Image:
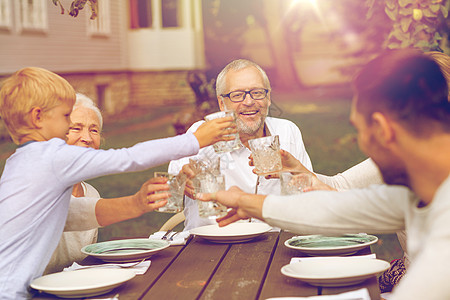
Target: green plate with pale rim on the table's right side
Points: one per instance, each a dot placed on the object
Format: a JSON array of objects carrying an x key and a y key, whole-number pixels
[{"x": 331, "y": 245}]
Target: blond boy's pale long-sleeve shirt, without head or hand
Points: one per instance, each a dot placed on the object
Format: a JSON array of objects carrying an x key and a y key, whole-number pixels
[{"x": 35, "y": 190}]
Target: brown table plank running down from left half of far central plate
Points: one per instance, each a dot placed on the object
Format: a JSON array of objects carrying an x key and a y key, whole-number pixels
[{"x": 190, "y": 272}]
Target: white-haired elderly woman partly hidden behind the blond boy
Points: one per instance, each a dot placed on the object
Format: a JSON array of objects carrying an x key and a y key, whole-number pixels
[{"x": 88, "y": 210}]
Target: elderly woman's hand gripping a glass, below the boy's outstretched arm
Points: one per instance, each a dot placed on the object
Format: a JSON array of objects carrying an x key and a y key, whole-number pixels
[{"x": 145, "y": 199}]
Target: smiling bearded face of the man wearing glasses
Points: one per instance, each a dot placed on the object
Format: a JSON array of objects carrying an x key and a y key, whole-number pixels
[{"x": 250, "y": 113}]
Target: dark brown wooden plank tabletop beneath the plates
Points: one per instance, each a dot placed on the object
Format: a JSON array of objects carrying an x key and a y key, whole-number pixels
[{"x": 206, "y": 270}]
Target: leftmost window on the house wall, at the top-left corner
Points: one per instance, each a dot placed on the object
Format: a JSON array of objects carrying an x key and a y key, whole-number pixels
[{"x": 33, "y": 14}]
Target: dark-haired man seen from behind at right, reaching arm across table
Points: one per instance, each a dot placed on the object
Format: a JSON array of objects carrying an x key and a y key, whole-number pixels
[{"x": 402, "y": 114}]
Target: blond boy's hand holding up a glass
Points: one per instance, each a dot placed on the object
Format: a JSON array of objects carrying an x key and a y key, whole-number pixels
[{"x": 215, "y": 131}]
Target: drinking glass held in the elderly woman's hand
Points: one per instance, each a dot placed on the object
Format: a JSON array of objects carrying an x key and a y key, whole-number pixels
[{"x": 176, "y": 189}]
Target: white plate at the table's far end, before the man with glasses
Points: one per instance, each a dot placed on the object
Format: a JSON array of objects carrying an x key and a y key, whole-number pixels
[{"x": 233, "y": 233}]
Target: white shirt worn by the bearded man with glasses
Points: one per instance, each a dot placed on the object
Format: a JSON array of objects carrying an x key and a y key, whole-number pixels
[{"x": 234, "y": 165}]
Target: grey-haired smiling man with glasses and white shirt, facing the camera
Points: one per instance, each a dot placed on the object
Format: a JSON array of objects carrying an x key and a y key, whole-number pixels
[{"x": 243, "y": 87}]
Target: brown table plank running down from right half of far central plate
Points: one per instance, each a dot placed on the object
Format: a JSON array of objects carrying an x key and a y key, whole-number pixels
[{"x": 240, "y": 274}]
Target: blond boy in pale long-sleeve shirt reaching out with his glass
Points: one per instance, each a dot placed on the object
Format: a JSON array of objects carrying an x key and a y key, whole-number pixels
[{"x": 37, "y": 180}]
